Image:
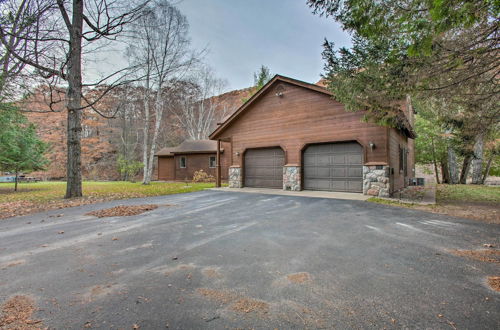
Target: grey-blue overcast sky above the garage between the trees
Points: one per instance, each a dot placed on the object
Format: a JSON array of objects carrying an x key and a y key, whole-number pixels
[{"x": 241, "y": 35}]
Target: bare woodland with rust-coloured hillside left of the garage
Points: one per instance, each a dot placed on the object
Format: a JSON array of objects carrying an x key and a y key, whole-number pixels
[{"x": 161, "y": 96}]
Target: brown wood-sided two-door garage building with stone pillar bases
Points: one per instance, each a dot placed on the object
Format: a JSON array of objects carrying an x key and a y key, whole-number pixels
[{"x": 293, "y": 135}]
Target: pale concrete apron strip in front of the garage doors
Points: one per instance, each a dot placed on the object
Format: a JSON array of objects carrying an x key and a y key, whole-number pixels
[{"x": 302, "y": 193}]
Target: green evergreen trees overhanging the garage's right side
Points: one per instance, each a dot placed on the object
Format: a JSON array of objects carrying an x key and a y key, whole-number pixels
[{"x": 444, "y": 55}]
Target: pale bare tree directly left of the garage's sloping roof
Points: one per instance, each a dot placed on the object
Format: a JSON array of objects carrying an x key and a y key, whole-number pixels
[{"x": 197, "y": 110}]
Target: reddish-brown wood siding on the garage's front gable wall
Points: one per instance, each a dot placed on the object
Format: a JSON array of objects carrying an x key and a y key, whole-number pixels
[{"x": 298, "y": 118}]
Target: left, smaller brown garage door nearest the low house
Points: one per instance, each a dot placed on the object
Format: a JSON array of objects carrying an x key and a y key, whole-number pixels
[{"x": 264, "y": 168}]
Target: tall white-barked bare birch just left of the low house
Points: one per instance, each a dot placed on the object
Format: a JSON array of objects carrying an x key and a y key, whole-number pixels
[{"x": 160, "y": 48}]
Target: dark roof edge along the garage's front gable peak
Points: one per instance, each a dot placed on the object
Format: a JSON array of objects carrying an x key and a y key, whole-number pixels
[{"x": 277, "y": 77}]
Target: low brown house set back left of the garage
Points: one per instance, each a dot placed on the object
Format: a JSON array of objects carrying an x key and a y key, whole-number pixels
[{"x": 181, "y": 162}]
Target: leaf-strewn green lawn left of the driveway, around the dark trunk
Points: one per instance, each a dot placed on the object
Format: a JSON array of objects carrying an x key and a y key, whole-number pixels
[{"x": 35, "y": 197}]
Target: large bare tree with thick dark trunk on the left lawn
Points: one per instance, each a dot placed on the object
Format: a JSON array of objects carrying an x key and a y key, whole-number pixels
[{"x": 54, "y": 48}]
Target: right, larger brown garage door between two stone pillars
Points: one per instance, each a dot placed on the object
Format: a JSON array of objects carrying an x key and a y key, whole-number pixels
[{"x": 334, "y": 167}]
